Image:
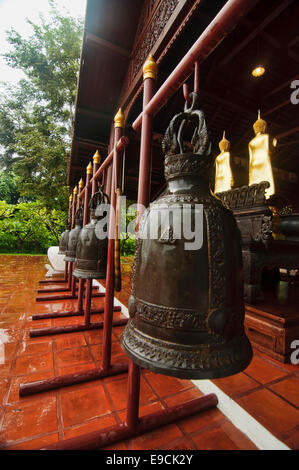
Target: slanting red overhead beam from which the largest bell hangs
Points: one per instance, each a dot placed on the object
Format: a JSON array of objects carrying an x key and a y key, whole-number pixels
[{"x": 216, "y": 31}]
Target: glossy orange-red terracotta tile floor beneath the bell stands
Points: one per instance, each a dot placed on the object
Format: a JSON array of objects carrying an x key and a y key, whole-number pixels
[{"x": 268, "y": 390}]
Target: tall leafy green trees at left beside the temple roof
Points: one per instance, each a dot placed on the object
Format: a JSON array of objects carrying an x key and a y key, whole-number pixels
[{"x": 36, "y": 116}]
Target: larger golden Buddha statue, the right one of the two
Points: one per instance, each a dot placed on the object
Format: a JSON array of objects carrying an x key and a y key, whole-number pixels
[{"x": 260, "y": 168}]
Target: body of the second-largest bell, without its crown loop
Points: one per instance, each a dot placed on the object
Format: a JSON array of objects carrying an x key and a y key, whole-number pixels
[{"x": 91, "y": 254}]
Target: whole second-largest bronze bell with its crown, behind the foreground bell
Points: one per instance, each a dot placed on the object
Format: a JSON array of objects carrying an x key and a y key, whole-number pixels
[{"x": 91, "y": 252}]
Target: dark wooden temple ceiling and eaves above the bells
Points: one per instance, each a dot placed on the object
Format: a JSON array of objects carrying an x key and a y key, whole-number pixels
[{"x": 229, "y": 95}]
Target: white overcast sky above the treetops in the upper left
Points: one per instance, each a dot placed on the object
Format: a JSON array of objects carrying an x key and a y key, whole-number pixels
[{"x": 13, "y": 14}]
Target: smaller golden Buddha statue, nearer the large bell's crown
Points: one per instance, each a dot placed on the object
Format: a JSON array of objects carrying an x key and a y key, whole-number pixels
[{"x": 223, "y": 173}]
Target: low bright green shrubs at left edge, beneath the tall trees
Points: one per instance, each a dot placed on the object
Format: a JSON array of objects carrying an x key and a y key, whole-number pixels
[{"x": 29, "y": 227}]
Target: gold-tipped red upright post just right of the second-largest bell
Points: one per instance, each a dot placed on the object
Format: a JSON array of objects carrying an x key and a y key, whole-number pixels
[{"x": 109, "y": 294}]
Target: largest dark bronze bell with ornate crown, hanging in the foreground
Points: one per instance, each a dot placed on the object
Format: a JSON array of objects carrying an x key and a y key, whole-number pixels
[{"x": 186, "y": 305}]
